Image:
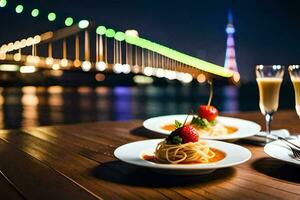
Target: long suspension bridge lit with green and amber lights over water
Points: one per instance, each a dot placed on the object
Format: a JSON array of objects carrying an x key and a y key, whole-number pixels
[{"x": 87, "y": 46}]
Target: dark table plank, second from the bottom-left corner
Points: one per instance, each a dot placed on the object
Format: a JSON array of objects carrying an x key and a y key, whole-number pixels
[{"x": 34, "y": 179}]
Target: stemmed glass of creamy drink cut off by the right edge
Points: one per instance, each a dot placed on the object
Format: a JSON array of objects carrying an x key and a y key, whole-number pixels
[{"x": 294, "y": 71}]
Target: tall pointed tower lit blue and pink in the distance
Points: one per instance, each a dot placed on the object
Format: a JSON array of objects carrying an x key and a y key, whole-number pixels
[{"x": 230, "y": 61}]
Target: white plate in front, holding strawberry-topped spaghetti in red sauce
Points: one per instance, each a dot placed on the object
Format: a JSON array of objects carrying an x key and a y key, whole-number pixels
[{"x": 132, "y": 153}]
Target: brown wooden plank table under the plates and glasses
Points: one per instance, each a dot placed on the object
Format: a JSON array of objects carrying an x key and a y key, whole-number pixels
[{"x": 77, "y": 162}]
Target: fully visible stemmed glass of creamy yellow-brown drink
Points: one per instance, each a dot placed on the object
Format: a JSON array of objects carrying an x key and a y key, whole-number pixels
[{"x": 269, "y": 78}]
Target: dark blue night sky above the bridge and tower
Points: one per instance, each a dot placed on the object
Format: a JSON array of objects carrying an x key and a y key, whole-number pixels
[{"x": 267, "y": 32}]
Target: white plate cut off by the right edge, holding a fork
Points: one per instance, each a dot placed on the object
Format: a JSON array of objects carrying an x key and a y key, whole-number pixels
[{"x": 280, "y": 151}]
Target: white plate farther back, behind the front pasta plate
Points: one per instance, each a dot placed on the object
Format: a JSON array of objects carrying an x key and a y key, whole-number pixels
[{"x": 245, "y": 128}]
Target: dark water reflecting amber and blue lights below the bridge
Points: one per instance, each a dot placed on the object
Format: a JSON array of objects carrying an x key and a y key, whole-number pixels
[{"x": 33, "y": 106}]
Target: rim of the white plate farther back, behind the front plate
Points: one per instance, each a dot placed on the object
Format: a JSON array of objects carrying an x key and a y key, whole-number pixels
[{"x": 227, "y": 137}]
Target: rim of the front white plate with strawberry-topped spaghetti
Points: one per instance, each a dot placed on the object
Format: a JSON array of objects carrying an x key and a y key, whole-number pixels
[{"x": 179, "y": 167}]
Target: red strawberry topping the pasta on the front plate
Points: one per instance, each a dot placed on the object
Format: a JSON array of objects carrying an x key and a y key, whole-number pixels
[{"x": 183, "y": 135}]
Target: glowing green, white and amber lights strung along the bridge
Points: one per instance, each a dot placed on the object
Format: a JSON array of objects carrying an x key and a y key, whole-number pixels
[{"x": 167, "y": 55}]
